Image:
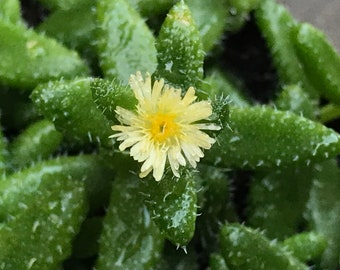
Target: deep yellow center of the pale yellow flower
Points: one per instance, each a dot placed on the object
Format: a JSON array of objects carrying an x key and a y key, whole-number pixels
[{"x": 163, "y": 126}]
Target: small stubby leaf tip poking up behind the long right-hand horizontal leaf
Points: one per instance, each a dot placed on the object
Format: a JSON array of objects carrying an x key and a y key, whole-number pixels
[{"x": 294, "y": 99}]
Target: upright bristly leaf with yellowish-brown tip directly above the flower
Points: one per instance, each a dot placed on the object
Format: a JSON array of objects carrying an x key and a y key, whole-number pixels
[{"x": 180, "y": 55}]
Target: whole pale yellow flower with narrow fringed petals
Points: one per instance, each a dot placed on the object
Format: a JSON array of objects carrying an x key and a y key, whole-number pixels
[{"x": 163, "y": 127}]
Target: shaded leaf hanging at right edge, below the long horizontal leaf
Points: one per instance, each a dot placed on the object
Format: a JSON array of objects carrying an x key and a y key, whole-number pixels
[{"x": 324, "y": 209}]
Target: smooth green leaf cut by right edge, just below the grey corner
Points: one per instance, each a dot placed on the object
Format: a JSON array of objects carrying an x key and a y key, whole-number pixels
[{"x": 320, "y": 60}]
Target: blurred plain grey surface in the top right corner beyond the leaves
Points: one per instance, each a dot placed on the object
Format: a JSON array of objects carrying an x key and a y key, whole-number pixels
[{"x": 322, "y": 14}]
